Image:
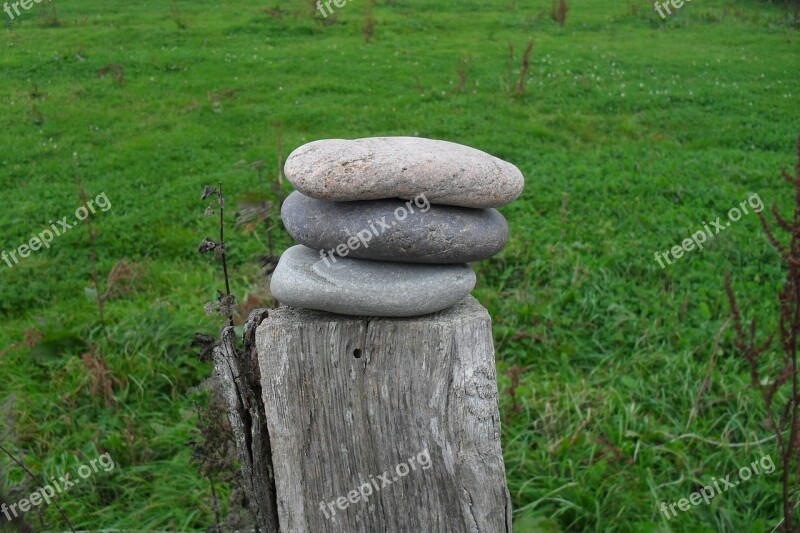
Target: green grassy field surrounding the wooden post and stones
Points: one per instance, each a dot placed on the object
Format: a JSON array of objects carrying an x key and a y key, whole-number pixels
[{"x": 631, "y": 132}]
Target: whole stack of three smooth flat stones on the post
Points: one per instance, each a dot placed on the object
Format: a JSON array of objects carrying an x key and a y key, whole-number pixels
[{"x": 386, "y": 225}]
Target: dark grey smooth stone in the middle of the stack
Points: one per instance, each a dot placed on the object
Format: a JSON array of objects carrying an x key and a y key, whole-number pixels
[{"x": 394, "y": 230}]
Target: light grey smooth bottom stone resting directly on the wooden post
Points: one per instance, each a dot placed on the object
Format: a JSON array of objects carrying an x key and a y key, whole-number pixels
[{"x": 367, "y": 288}]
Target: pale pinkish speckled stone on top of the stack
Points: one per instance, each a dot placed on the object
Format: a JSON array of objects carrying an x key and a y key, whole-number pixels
[{"x": 402, "y": 167}]
